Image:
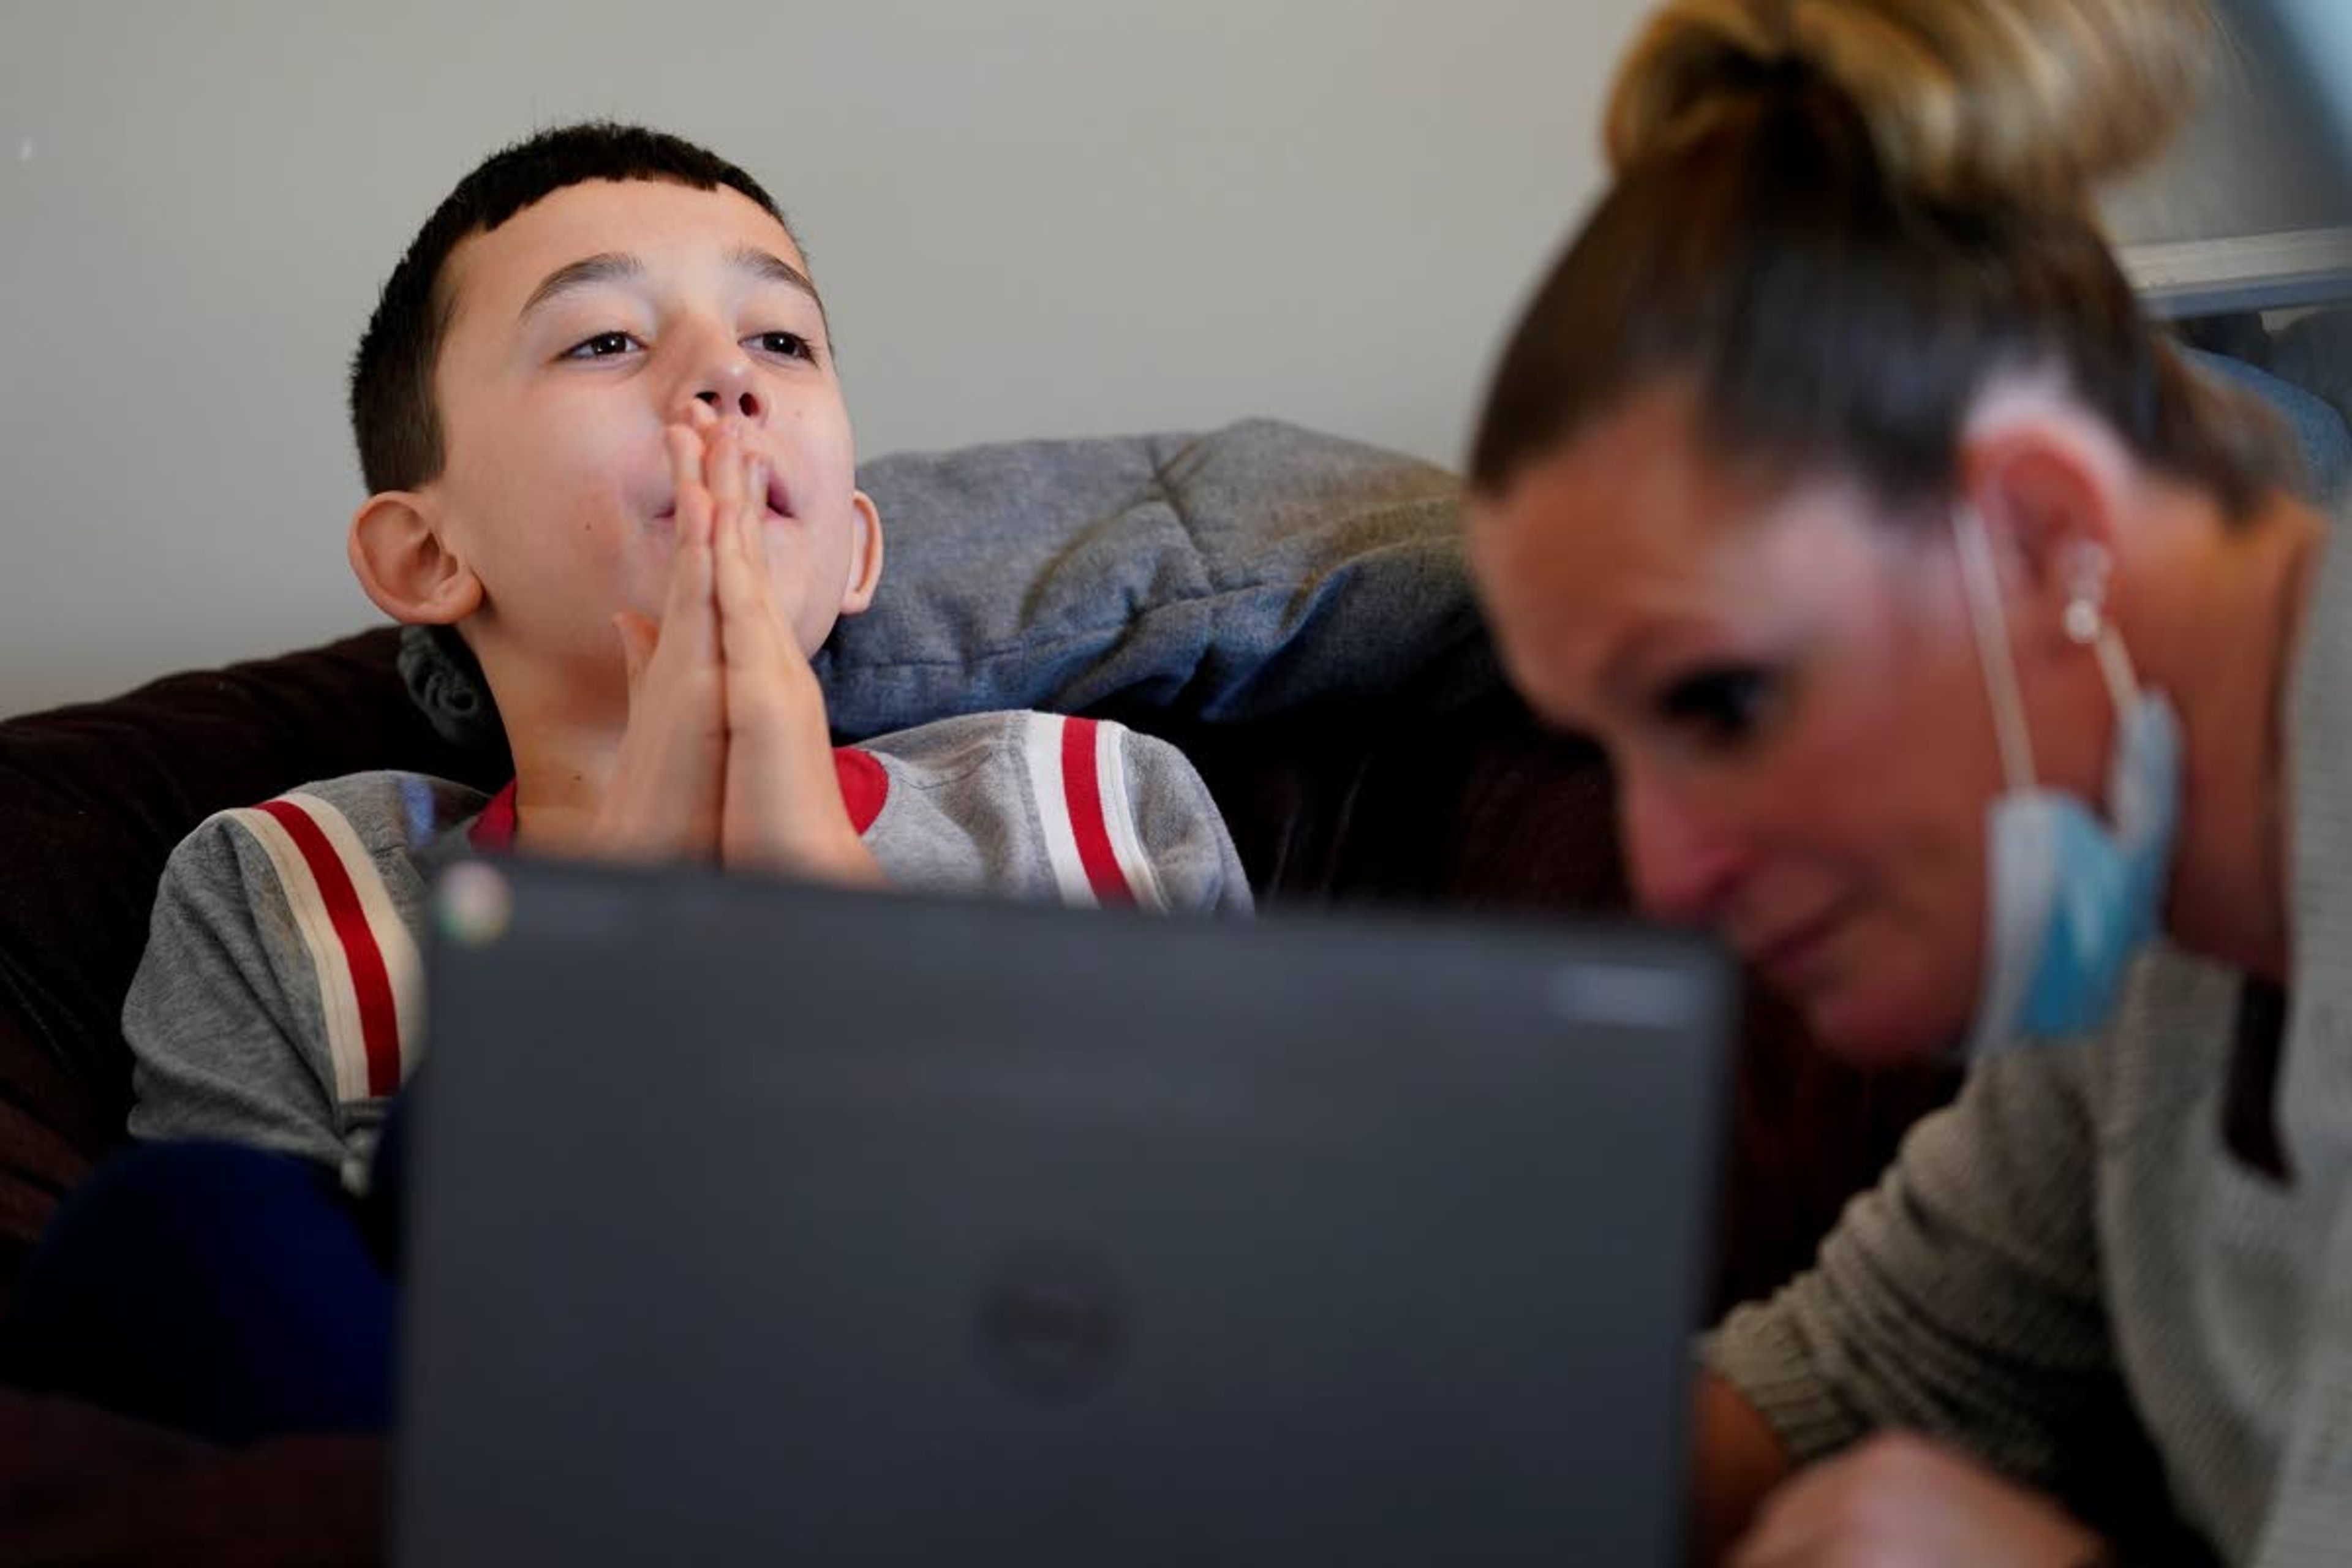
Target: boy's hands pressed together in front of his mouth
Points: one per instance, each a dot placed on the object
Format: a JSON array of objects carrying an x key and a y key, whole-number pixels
[{"x": 728, "y": 756}]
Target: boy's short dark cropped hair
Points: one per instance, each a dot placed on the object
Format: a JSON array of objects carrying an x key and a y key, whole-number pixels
[{"x": 392, "y": 375}]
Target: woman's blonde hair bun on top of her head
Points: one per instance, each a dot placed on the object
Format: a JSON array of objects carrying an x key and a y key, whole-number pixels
[{"x": 1970, "y": 102}]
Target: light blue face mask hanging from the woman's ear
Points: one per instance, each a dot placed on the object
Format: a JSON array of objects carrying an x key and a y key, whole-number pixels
[{"x": 2071, "y": 902}]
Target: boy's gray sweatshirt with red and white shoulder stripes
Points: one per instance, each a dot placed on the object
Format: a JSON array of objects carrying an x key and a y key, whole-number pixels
[{"x": 281, "y": 1003}]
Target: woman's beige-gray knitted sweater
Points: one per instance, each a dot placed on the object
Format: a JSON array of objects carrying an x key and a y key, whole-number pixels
[{"x": 2076, "y": 1278}]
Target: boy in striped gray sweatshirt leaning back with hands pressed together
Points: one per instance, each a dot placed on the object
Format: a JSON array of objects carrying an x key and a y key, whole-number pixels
[{"x": 608, "y": 450}]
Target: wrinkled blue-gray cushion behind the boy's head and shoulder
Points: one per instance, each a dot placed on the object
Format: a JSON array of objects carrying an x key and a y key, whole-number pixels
[{"x": 1210, "y": 577}]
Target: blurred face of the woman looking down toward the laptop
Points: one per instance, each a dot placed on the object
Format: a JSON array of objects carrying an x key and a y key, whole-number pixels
[{"x": 1791, "y": 695}]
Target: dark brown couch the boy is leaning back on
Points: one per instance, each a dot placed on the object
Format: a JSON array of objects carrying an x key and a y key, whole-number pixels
[{"x": 1462, "y": 805}]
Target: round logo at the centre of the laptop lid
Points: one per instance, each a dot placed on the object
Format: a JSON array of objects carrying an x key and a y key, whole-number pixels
[{"x": 1050, "y": 1322}]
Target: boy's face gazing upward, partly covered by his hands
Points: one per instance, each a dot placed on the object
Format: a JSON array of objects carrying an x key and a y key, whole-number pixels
[{"x": 582, "y": 328}]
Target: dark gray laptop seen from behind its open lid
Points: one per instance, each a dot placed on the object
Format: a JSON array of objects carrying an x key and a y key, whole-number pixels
[{"x": 789, "y": 1226}]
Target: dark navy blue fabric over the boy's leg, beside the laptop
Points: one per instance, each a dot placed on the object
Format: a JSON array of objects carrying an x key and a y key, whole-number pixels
[{"x": 213, "y": 1289}]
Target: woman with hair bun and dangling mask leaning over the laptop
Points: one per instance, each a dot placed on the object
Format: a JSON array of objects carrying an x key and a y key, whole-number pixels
[{"x": 1970, "y": 664}]
